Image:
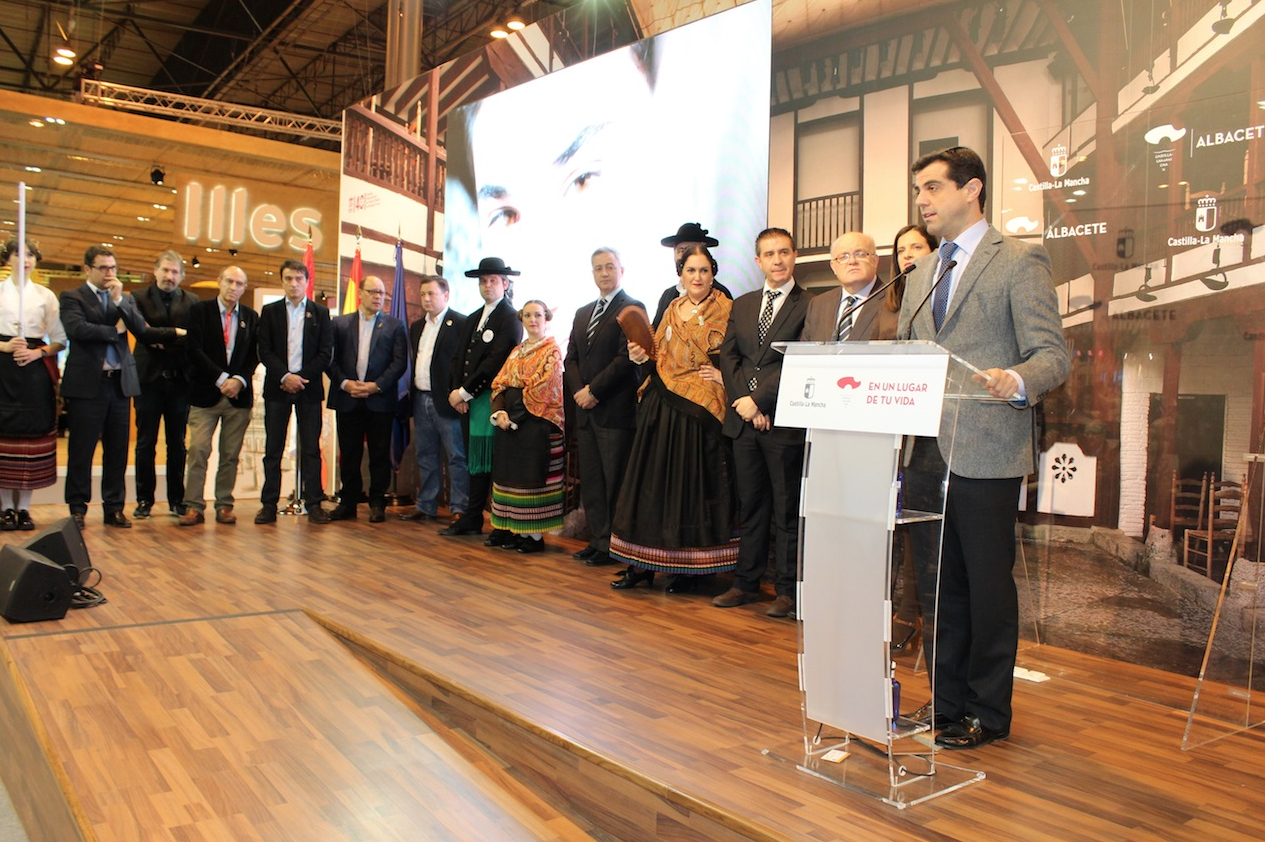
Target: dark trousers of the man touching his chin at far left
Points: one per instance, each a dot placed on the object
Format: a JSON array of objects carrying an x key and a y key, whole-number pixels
[{"x": 104, "y": 419}]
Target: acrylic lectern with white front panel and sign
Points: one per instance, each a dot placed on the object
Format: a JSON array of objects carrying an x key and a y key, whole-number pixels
[{"x": 863, "y": 405}]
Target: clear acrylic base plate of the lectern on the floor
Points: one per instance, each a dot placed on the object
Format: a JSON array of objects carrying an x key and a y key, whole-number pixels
[{"x": 868, "y": 772}]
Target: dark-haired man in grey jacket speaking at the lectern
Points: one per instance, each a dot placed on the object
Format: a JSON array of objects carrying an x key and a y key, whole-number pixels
[{"x": 991, "y": 302}]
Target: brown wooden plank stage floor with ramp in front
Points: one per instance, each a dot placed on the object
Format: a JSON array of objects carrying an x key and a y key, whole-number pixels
[{"x": 207, "y": 701}]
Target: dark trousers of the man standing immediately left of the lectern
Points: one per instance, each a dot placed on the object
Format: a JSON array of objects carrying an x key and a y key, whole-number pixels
[{"x": 768, "y": 471}]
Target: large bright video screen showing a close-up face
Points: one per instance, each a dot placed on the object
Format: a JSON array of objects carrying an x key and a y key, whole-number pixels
[{"x": 617, "y": 152}]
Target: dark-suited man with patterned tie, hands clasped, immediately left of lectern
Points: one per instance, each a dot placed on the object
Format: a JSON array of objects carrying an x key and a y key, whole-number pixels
[{"x": 768, "y": 462}]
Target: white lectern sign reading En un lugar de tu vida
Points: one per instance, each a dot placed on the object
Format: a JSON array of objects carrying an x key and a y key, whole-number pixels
[{"x": 863, "y": 393}]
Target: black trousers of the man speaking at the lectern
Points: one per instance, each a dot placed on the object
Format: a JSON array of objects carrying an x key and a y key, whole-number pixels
[{"x": 976, "y": 618}]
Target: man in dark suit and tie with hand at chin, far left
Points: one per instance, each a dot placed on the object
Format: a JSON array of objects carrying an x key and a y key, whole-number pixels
[{"x": 101, "y": 376}]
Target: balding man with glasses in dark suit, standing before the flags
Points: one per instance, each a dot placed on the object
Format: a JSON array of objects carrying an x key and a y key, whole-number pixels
[{"x": 371, "y": 355}]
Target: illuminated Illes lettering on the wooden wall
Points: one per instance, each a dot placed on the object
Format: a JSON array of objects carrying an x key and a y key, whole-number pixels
[{"x": 227, "y": 218}]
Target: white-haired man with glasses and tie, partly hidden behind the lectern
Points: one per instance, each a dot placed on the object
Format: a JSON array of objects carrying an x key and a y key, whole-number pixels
[{"x": 833, "y": 317}]
